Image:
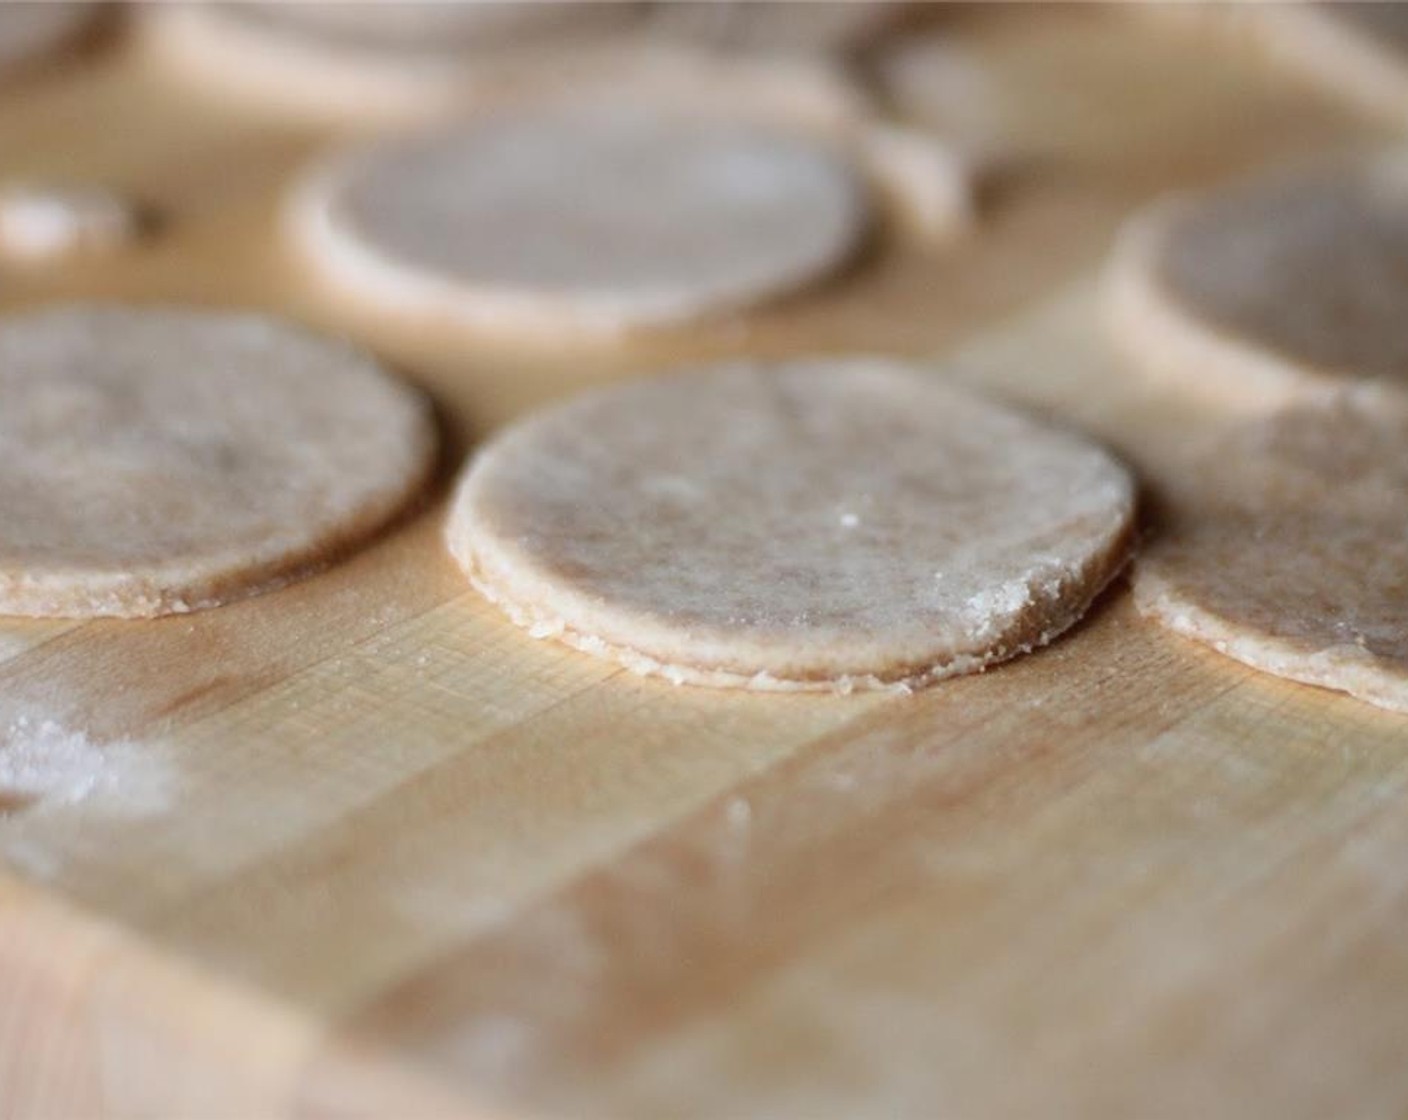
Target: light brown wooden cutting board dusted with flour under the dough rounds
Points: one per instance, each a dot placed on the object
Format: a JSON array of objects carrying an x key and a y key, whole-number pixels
[{"x": 361, "y": 849}]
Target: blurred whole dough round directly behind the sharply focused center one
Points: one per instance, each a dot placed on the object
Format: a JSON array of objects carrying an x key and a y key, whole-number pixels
[{"x": 599, "y": 219}]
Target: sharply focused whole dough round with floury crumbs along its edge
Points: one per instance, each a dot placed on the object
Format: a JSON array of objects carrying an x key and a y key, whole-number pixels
[{"x": 822, "y": 525}]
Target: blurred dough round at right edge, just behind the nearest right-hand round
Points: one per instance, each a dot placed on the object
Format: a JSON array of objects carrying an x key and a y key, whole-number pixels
[{"x": 1272, "y": 290}]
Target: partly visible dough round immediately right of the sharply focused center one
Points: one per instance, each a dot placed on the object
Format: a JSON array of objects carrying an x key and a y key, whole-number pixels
[{"x": 1285, "y": 547}]
